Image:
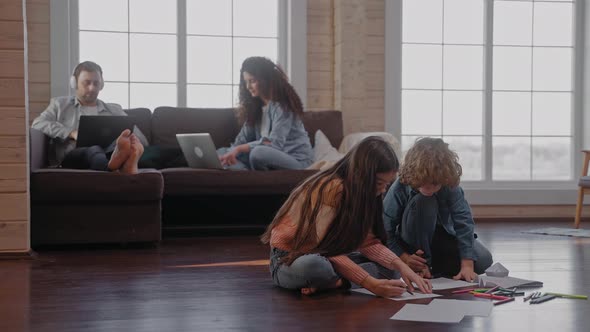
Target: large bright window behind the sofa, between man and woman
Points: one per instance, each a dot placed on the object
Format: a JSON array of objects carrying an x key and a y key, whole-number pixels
[{"x": 175, "y": 52}]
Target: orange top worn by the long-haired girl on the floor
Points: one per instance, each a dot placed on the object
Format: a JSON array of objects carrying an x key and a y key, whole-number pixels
[{"x": 372, "y": 248}]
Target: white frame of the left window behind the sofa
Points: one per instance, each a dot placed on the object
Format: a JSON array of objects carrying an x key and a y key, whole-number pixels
[{"x": 291, "y": 51}]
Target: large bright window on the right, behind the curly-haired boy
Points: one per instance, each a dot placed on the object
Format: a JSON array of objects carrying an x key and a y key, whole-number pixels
[{"x": 494, "y": 78}]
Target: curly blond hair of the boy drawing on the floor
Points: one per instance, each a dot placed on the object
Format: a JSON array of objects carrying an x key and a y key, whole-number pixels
[{"x": 430, "y": 161}]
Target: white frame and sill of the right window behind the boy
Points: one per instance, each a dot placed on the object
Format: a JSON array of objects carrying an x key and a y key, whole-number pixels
[{"x": 488, "y": 191}]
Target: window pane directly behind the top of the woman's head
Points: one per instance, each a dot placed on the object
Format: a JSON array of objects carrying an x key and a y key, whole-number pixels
[{"x": 247, "y": 47}]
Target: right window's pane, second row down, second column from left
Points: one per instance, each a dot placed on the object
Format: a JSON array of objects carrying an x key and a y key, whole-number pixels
[{"x": 463, "y": 67}]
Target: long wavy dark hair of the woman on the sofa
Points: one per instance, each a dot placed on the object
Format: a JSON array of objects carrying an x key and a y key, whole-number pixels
[{"x": 273, "y": 84}]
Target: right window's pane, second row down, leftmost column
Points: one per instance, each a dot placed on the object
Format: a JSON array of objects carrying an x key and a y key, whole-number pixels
[{"x": 421, "y": 66}]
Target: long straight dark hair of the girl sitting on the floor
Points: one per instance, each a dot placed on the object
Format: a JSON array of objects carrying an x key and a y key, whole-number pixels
[{"x": 359, "y": 209}]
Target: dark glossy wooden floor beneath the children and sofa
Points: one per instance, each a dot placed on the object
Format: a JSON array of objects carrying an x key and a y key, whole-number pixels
[{"x": 220, "y": 284}]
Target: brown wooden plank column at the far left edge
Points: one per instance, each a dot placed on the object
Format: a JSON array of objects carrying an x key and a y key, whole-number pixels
[{"x": 14, "y": 193}]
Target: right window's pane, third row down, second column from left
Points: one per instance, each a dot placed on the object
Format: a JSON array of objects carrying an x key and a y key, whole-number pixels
[{"x": 462, "y": 113}]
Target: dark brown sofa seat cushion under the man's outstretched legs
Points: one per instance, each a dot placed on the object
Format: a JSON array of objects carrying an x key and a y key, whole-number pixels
[{"x": 87, "y": 185}]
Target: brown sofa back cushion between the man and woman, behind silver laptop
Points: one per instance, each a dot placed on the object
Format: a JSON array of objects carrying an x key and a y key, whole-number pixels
[{"x": 221, "y": 123}]
